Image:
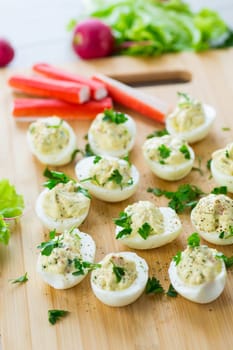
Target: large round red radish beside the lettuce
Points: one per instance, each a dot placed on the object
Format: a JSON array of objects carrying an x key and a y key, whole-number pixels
[{"x": 92, "y": 39}]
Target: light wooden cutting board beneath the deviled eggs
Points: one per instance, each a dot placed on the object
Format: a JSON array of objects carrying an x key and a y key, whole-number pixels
[{"x": 152, "y": 322}]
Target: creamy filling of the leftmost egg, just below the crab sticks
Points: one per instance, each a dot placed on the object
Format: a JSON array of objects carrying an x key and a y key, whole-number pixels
[{"x": 49, "y": 138}]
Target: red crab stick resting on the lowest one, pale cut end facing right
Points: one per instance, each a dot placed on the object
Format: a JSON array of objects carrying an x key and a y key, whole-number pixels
[{"x": 40, "y": 86}]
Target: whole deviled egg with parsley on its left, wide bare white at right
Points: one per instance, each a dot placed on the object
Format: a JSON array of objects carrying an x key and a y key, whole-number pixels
[{"x": 142, "y": 225}]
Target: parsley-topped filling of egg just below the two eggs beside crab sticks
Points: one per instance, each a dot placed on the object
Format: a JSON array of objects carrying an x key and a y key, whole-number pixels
[{"x": 111, "y": 174}]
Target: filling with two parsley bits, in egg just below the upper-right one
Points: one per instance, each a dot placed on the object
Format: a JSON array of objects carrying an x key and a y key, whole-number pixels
[{"x": 167, "y": 150}]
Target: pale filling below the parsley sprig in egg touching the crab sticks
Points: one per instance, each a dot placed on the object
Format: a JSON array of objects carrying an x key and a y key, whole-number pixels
[{"x": 108, "y": 135}]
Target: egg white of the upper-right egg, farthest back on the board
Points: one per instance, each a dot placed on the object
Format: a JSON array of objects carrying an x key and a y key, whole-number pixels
[{"x": 197, "y": 133}]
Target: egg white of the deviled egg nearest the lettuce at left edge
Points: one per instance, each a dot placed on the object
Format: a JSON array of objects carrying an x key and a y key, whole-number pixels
[{"x": 59, "y": 225}]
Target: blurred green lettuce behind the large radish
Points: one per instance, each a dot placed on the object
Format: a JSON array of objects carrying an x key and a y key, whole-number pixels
[{"x": 153, "y": 27}]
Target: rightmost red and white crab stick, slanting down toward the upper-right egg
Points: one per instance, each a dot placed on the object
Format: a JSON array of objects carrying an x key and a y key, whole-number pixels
[{"x": 138, "y": 101}]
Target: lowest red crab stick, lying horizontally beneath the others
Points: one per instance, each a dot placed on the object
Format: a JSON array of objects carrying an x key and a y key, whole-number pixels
[{"x": 26, "y": 109}]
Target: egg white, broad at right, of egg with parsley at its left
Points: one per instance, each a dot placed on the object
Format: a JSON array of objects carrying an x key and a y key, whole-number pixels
[{"x": 172, "y": 229}]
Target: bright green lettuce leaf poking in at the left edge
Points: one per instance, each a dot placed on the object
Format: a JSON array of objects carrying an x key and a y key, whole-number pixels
[{"x": 11, "y": 203}]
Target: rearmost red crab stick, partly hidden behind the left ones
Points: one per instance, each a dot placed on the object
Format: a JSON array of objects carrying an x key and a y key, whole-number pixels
[{"x": 98, "y": 90}]
